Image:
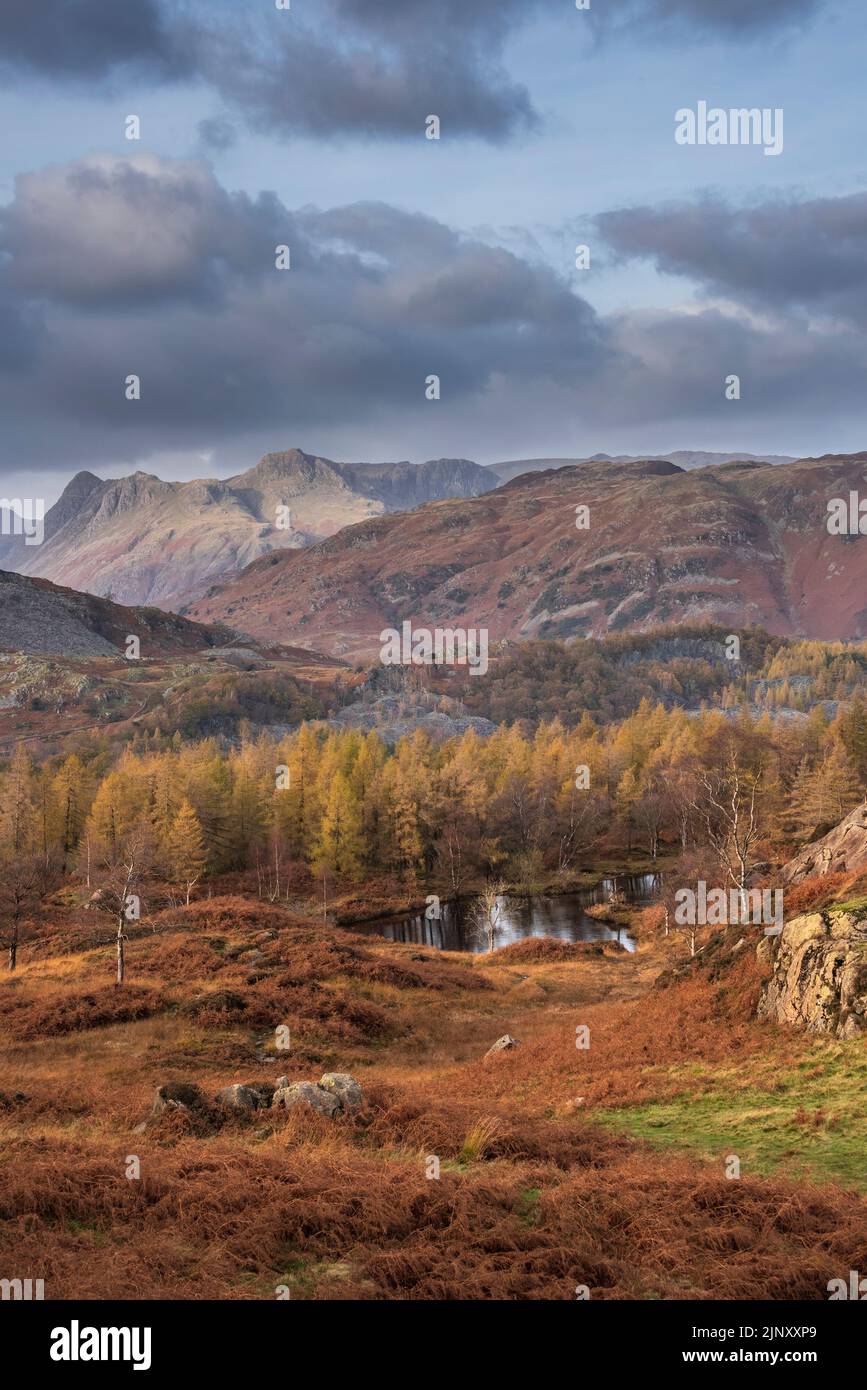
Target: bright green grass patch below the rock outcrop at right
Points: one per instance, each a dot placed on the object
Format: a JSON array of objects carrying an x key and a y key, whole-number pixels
[{"x": 809, "y": 1120}]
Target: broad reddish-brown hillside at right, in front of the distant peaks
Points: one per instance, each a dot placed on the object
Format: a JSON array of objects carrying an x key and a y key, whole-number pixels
[{"x": 741, "y": 544}]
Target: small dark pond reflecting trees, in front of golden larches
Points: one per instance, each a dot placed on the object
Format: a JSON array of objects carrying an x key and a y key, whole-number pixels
[{"x": 559, "y": 917}]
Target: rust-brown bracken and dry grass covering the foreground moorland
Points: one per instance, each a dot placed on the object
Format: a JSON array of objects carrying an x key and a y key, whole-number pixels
[{"x": 541, "y": 1189}]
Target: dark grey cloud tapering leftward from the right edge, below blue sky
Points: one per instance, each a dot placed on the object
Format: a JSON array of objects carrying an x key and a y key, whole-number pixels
[{"x": 780, "y": 255}]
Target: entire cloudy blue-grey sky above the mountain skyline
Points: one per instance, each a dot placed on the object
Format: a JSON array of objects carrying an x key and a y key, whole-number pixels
[{"x": 415, "y": 258}]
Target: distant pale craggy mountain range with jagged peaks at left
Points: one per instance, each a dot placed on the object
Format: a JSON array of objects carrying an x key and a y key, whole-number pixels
[{"x": 147, "y": 541}]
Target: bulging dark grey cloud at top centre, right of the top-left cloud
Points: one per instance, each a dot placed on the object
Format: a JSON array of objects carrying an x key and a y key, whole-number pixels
[{"x": 368, "y": 76}]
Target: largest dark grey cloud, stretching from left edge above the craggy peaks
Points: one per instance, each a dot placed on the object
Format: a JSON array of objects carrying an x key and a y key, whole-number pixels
[{"x": 117, "y": 258}]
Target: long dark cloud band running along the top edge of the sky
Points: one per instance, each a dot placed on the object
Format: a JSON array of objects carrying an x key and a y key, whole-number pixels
[{"x": 352, "y": 69}]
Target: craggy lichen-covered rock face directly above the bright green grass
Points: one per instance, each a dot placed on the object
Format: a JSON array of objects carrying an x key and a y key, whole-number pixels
[{"x": 820, "y": 974}]
